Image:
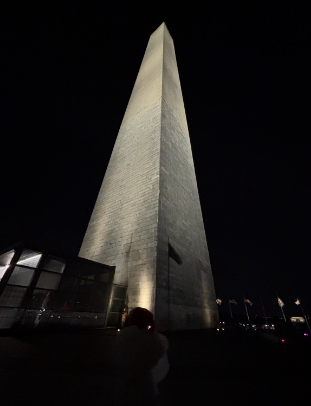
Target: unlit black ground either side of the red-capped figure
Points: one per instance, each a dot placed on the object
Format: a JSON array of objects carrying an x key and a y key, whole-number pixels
[{"x": 230, "y": 367}]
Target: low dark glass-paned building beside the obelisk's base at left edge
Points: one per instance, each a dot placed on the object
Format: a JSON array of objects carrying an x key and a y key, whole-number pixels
[{"x": 38, "y": 290}]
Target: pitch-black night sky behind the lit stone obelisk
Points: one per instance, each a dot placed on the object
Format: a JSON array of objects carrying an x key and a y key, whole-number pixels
[{"x": 244, "y": 71}]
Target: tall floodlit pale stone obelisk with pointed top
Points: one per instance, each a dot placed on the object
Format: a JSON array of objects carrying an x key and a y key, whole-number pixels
[{"x": 149, "y": 202}]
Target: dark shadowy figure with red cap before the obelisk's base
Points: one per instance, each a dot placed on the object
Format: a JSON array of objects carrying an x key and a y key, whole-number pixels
[{"x": 140, "y": 360}]
